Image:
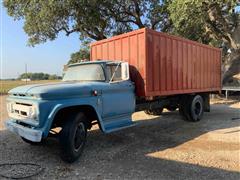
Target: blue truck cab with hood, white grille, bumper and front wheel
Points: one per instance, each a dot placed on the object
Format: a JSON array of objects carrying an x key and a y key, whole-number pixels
[{"x": 95, "y": 92}]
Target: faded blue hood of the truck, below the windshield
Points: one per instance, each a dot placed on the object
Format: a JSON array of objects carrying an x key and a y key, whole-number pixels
[{"x": 59, "y": 89}]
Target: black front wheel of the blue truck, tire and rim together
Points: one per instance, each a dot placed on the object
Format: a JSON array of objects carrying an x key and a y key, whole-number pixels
[{"x": 73, "y": 137}]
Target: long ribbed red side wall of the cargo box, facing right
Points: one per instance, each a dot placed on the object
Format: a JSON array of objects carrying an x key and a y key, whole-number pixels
[{"x": 177, "y": 66}]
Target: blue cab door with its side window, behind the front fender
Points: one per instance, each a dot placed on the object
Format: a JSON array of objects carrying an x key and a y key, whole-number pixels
[{"x": 118, "y": 100}]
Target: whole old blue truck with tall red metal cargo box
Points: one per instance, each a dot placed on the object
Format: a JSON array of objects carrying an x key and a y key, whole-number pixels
[{"x": 142, "y": 70}]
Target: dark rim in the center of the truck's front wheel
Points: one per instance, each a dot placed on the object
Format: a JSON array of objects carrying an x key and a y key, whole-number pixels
[{"x": 79, "y": 136}]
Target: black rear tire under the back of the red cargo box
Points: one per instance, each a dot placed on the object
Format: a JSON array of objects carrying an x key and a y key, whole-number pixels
[{"x": 192, "y": 108}]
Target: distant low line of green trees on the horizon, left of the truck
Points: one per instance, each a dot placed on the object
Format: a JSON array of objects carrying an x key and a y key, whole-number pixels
[{"x": 38, "y": 76}]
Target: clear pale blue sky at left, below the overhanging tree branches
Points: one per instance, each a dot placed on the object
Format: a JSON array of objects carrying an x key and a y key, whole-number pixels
[{"x": 48, "y": 57}]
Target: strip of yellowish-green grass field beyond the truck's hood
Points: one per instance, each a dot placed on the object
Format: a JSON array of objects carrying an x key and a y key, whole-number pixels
[{"x": 5, "y": 86}]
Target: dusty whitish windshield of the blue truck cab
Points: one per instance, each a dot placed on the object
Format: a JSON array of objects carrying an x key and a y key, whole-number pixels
[{"x": 85, "y": 72}]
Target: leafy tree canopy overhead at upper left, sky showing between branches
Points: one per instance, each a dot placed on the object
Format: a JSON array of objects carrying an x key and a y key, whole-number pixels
[{"x": 95, "y": 19}]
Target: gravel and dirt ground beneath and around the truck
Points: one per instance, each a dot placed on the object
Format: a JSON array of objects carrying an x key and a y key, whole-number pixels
[{"x": 158, "y": 147}]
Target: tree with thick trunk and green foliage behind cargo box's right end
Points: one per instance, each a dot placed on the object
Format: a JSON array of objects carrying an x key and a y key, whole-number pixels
[{"x": 214, "y": 22}]
